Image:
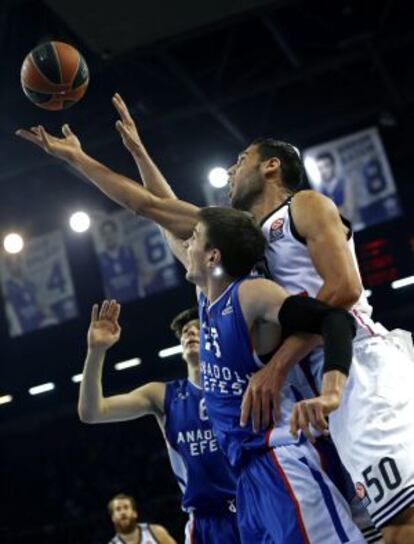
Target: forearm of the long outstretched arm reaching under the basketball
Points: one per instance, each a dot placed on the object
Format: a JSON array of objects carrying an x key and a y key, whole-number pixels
[{"x": 117, "y": 187}]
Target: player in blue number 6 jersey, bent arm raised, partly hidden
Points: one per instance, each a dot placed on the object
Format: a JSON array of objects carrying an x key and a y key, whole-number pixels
[{"x": 203, "y": 474}]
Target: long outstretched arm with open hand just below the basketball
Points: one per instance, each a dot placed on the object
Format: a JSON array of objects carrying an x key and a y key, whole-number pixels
[{"x": 175, "y": 215}]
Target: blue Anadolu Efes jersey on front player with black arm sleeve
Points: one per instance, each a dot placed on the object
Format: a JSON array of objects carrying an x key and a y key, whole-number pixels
[{"x": 227, "y": 361}]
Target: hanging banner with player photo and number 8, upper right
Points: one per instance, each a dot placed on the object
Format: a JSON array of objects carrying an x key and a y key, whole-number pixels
[{"x": 354, "y": 172}]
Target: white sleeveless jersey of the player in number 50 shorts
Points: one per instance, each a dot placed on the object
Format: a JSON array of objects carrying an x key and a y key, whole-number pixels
[{"x": 289, "y": 264}]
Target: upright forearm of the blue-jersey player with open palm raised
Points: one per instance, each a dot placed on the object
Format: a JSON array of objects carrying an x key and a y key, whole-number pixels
[{"x": 91, "y": 400}]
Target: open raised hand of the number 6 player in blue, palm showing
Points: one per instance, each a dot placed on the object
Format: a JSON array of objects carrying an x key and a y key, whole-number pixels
[{"x": 104, "y": 330}]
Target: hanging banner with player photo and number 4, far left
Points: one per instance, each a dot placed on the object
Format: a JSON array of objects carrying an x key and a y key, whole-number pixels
[{"x": 37, "y": 285}]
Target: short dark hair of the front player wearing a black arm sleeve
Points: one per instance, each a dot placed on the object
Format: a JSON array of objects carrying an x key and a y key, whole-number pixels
[{"x": 236, "y": 235}]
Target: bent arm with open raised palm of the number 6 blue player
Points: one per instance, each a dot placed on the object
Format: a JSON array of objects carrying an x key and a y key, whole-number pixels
[{"x": 104, "y": 331}]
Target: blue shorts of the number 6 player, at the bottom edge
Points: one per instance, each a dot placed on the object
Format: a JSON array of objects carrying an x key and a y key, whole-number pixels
[{"x": 217, "y": 528}]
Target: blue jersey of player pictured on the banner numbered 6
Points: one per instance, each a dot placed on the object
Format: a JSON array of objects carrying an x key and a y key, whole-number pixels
[{"x": 120, "y": 274}]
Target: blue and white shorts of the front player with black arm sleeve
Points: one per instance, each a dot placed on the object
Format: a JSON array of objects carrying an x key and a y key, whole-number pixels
[{"x": 285, "y": 497}]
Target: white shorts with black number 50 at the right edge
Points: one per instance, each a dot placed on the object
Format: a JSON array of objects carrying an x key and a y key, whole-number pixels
[{"x": 373, "y": 429}]
